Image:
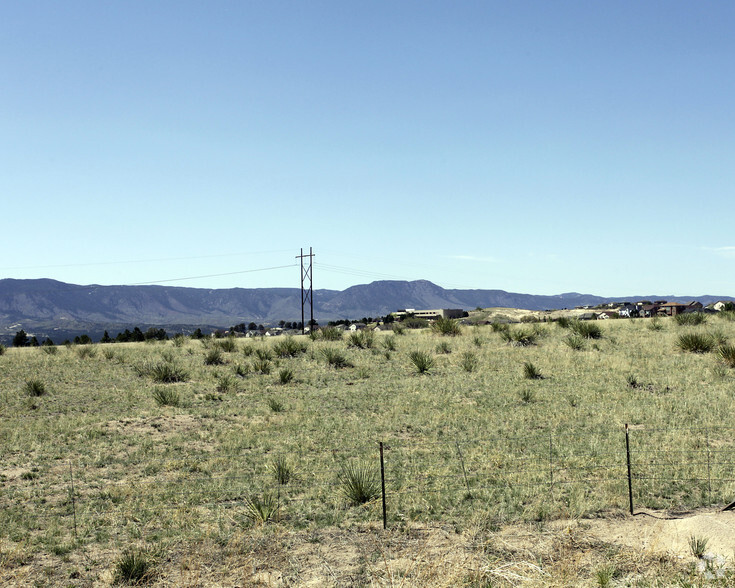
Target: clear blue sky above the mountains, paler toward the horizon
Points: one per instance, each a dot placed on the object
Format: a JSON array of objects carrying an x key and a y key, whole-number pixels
[{"x": 532, "y": 146}]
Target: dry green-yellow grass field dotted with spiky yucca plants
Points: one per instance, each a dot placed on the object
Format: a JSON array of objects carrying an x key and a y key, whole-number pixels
[{"x": 233, "y": 462}]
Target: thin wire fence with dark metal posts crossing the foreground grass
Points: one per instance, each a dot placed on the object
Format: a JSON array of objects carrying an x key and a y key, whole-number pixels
[{"x": 638, "y": 467}]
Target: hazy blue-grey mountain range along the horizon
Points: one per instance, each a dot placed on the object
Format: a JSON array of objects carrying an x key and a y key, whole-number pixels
[{"x": 56, "y": 309}]
